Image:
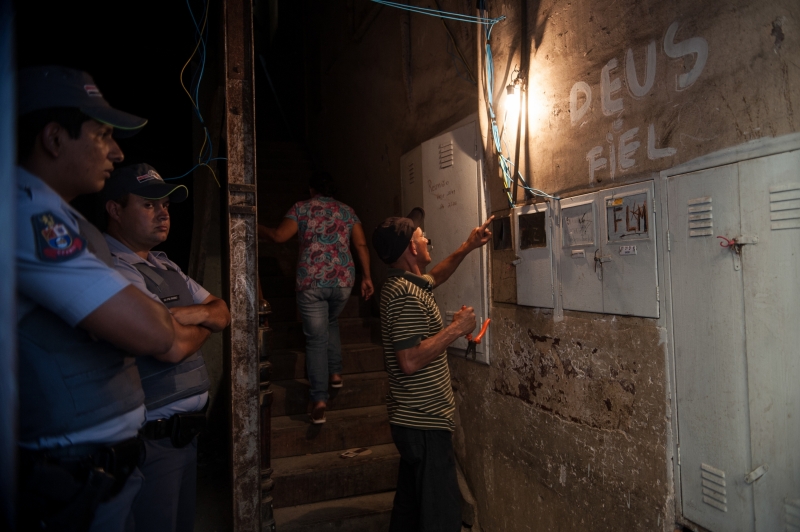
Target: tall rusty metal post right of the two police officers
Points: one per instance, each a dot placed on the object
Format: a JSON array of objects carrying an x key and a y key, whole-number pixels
[{"x": 241, "y": 258}]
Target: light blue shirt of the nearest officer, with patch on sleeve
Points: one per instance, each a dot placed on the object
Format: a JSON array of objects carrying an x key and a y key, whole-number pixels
[{"x": 56, "y": 271}]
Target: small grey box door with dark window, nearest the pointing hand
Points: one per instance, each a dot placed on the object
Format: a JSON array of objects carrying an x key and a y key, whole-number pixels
[{"x": 533, "y": 242}]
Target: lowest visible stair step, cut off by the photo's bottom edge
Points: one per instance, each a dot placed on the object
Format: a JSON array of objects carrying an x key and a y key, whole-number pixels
[{"x": 366, "y": 513}]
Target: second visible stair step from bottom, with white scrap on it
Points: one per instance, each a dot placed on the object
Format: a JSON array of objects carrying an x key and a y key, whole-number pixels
[{"x": 325, "y": 476}]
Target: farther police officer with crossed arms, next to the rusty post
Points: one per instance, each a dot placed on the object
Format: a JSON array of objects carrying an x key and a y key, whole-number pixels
[{"x": 175, "y": 394}]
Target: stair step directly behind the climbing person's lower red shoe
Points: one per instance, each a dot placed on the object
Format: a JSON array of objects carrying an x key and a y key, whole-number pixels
[{"x": 291, "y": 397}]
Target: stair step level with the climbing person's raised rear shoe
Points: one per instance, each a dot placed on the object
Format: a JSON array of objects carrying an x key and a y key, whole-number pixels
[{"x": 289, "y": 364}]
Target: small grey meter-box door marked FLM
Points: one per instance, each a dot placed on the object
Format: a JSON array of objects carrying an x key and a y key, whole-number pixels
[{"x": 628, "y": 261}]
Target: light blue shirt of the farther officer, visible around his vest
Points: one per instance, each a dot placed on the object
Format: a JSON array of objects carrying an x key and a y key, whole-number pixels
[{"x": 124, "y": 259}]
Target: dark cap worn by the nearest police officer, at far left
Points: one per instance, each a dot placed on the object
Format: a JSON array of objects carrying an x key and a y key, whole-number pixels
[{"x": 46, "y": 87}]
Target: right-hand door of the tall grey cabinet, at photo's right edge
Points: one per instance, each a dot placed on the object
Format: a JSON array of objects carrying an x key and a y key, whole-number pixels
[{"x": 770, "y": 209}]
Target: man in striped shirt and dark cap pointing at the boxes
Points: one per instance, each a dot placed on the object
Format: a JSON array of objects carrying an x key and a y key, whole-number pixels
[{"x": 420, "y": 400}]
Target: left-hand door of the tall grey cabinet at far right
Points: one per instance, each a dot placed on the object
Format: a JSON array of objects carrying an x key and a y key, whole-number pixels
[{"x": 709, "y": 343}]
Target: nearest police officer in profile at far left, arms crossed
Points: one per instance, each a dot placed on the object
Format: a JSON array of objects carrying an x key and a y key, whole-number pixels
[{"x": 79, "y": 321}]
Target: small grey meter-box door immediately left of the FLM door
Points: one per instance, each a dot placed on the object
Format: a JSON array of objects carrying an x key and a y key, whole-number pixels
[{"x": 581, "y": 285}]
